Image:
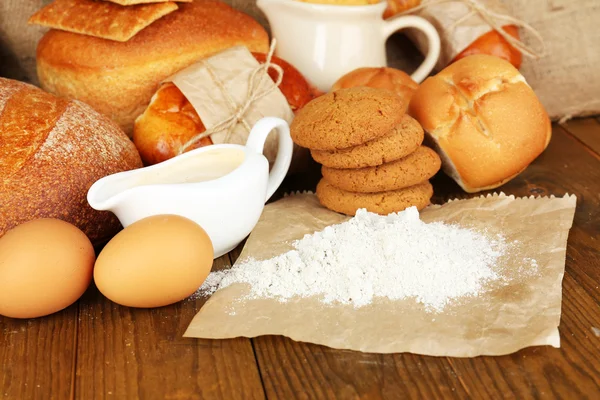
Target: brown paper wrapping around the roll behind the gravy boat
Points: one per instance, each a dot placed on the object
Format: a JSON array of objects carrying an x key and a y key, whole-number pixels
[{"x": 218, "y": 85}]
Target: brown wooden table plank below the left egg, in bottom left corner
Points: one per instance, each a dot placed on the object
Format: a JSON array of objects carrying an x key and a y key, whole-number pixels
[{"x": 37, "y": 356}]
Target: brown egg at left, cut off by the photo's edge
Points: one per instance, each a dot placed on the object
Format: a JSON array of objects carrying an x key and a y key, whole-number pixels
[{"x": 45, "y": 266}]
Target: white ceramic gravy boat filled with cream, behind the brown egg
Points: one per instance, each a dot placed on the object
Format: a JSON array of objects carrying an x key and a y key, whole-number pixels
[{"x": 221, "y": 187}]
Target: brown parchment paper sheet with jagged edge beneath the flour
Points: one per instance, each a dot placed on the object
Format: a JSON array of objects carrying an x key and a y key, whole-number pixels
[{"x": 523, "y": 312}]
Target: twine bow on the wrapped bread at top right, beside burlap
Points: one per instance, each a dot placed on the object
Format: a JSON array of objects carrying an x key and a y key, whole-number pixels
[{"x": 494, "y": 20}]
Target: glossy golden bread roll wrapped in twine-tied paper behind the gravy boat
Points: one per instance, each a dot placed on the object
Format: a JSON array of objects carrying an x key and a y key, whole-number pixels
[{"x": 170, "y": 120}]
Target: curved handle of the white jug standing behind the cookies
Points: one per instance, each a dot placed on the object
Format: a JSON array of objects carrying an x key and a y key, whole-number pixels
[{"x": 395, "y": 24}]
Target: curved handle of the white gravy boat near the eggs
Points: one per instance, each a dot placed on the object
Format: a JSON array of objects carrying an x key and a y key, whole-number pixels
[{"x": 256, "y": 142}]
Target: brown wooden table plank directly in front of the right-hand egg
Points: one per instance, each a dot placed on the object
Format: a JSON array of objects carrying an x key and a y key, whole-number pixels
[{"x": 126, "y": 353}]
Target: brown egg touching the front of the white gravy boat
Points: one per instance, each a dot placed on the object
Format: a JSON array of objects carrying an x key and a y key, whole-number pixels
[{"x": 154, "y": 262}]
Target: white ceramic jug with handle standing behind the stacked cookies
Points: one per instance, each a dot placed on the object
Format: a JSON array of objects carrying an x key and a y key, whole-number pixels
[{"x": 325, "y": 42}]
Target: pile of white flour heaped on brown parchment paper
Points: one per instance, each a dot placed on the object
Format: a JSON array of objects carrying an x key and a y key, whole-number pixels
[{"x": 396, "y": 256}]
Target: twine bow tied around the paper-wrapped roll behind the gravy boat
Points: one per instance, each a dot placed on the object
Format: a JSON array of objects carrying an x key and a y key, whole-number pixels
[{"x": 238, "y": 111}]
